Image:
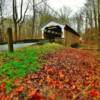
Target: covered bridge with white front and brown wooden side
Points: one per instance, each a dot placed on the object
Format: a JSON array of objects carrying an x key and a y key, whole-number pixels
[{"x": 70, "y": 36}]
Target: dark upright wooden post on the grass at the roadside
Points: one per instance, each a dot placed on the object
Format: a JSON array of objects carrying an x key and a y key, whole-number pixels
[{"x": 10, "y": 39}]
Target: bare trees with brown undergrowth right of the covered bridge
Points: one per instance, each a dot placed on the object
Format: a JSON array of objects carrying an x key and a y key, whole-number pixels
[{"x": 88, "y": 21}]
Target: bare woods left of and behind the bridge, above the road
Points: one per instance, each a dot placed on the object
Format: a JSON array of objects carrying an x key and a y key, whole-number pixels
[{"x": 26, "y": 17}]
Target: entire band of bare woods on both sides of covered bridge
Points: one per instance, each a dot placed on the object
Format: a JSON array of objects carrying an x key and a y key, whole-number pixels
[{"x": 27, "y": 17}]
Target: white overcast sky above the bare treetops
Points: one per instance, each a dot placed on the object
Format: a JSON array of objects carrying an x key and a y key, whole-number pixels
[{"x": 75, "y": 5}]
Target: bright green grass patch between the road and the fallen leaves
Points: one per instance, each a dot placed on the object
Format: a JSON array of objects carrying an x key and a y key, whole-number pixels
[{"x": 23, "y": 61}]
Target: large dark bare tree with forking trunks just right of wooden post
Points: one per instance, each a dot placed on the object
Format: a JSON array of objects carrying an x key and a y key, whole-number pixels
[{"x": 19, "y": 18}]
